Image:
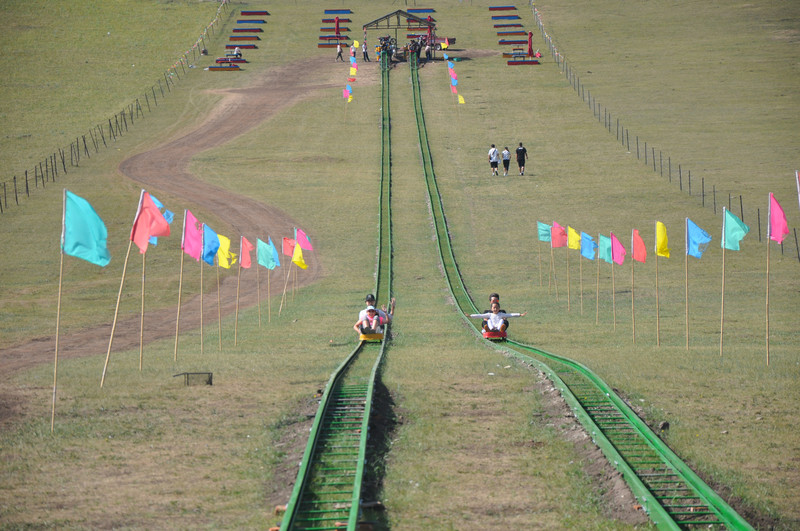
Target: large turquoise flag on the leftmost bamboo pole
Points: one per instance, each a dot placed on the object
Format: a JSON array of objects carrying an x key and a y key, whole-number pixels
[{"x": 83, "y": 233}]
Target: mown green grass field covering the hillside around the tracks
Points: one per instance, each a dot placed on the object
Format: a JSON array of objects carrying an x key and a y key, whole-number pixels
[{"x": 710, "y": 85}]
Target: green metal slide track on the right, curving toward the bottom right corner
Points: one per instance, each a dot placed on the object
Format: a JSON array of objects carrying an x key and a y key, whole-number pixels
[{"x": 669, "y": 491}]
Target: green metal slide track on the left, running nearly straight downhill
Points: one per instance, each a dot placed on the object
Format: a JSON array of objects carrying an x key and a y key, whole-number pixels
[{"x": 327, "y": 492}]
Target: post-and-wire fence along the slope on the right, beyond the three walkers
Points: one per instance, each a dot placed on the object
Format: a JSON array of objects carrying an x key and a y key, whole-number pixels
[{"x": 656, "y": 160}]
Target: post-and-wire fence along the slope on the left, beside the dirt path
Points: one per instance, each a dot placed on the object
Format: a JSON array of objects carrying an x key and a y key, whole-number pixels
[{"x": 63, "y": 160}]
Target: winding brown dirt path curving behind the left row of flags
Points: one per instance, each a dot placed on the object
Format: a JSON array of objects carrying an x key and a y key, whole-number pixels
[{"x": 166, "y": 169}]
